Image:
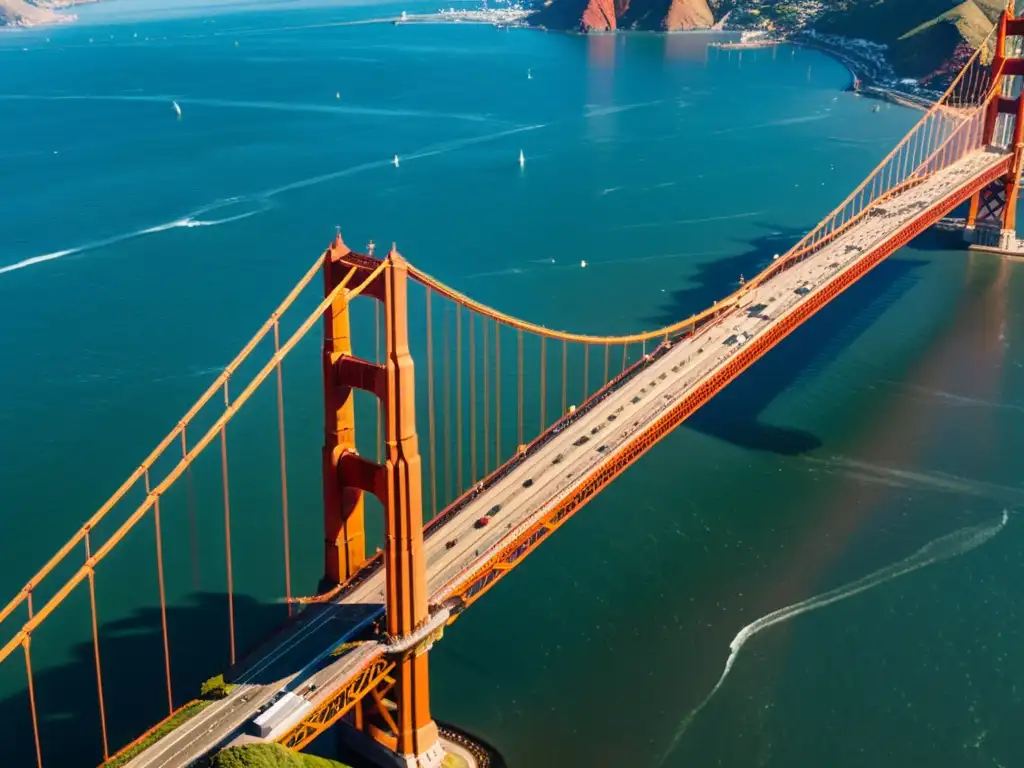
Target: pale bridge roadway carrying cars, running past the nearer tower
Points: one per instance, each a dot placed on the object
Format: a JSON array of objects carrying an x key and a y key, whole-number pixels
[{"x": 691, "y": 371}]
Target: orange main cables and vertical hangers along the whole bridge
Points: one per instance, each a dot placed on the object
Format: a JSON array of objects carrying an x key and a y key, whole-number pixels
[{"x": 468, "y": 346}]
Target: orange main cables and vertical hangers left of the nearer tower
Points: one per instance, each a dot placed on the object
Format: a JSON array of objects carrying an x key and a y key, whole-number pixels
[{"x": 180, "y": 451}]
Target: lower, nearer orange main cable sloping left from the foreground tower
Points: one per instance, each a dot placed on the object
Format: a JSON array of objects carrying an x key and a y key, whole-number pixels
[{"x": 82, "y": 574}]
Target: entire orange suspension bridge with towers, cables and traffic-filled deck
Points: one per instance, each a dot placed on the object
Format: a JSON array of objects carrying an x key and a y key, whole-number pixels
[{"x": 358, "y": 652}]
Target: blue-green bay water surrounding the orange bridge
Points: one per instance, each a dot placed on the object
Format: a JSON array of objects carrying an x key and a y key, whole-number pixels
[{"x": 139, "y": 251}]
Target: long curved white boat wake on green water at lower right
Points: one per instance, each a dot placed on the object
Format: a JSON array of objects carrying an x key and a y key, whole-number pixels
[{"x": 944, "y": 548}]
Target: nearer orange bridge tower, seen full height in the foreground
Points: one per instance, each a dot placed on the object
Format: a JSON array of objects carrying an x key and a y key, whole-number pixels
[{"x": 411, "y": 732}]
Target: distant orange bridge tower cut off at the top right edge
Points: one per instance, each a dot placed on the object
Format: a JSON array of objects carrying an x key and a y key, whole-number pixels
[{"x": 992, "y": 219}]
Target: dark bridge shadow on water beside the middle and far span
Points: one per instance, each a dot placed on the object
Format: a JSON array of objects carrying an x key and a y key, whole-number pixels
[{"x": 735, "y": 415}]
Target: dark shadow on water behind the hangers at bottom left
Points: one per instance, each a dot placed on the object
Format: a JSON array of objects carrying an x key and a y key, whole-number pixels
[{"x": 136, "y": 692}]
